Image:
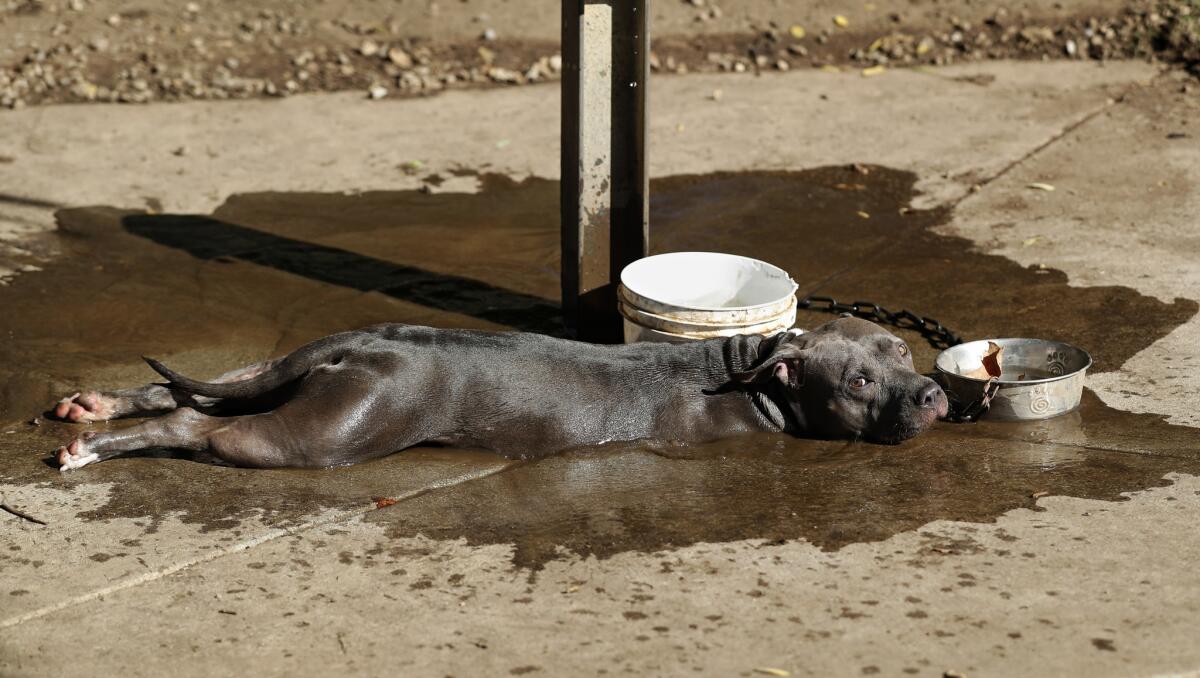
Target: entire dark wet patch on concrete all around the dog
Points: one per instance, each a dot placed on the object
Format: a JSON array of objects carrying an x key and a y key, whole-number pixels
[{"x": 269, "y": 272}]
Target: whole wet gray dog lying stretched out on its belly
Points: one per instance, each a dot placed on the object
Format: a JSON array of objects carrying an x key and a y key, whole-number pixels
[{"x": 370, "y": 393}]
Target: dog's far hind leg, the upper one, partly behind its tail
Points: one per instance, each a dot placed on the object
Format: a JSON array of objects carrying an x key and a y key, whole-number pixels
[{"x": 151, "y": 399}]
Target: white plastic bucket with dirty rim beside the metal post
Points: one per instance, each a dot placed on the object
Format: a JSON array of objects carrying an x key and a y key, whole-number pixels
[{"x": 691, "y": 296}]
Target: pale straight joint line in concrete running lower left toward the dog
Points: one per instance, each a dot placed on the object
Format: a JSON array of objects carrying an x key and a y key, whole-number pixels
[{"x": 271, "y": 536}]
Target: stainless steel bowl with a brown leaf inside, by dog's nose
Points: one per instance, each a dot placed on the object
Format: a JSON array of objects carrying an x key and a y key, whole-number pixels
[{"x": 1039, "y": 379}]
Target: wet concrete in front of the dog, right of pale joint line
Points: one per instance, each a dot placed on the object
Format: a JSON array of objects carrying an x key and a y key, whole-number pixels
[{"x": 637, "y": 499}]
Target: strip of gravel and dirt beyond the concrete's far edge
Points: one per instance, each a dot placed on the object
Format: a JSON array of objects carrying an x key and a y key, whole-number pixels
[{"x": 196, "y": 53}]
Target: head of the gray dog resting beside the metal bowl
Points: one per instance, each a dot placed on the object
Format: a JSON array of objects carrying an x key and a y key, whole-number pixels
[{"x": 850, "y": 379}]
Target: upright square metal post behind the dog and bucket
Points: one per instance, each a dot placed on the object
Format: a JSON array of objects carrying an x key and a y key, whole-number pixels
[{"x": 605, "y": 185}]
